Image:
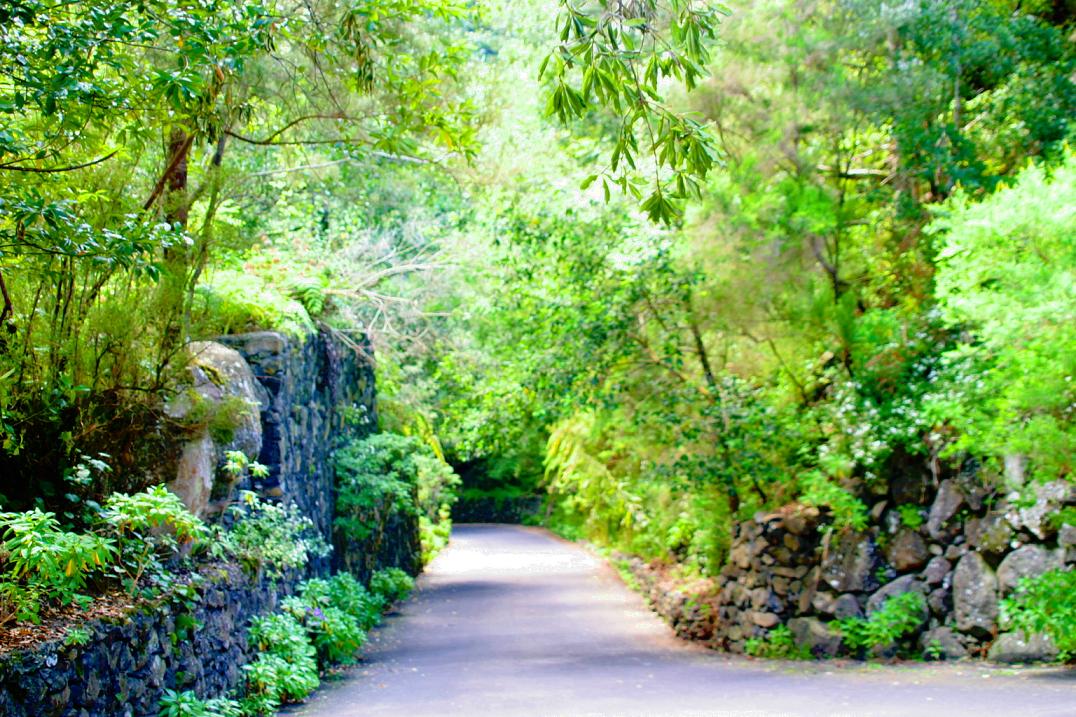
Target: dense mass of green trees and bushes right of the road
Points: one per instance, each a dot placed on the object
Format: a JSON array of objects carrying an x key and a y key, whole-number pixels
[{"x": 879, "y": 276}]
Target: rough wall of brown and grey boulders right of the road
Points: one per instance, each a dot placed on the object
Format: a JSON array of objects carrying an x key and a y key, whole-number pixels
[{"x": 965, "y": 547}]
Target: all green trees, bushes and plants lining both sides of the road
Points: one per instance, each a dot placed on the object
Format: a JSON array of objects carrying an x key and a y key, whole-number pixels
[{"x": 662, "y": 265}]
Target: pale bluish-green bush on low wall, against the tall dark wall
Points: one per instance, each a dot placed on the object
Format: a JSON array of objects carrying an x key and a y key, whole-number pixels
[{"x": 270, "y": 537}]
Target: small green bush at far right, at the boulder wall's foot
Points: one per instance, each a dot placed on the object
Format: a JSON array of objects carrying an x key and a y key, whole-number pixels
[{"x": 1046, "y": 604}]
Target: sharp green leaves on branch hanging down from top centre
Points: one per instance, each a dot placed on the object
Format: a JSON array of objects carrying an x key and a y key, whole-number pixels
[{"x": 621, "y": 58}]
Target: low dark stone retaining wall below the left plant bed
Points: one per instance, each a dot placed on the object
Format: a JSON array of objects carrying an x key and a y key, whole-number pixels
[{"x": 124, "y": 668}]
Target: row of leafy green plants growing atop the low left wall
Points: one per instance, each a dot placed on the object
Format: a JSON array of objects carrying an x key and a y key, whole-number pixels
[{"x": 146, "y": 543}]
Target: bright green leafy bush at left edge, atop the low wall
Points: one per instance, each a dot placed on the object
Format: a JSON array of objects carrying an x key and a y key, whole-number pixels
[{"x": 44, "y": 564}]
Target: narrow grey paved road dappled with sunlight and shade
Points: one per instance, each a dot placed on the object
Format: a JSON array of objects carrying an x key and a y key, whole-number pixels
[{"x": 514, "y": 622}]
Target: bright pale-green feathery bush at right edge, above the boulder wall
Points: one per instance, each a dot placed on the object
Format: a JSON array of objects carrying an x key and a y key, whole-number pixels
[{"x": 1006, "y": 277}]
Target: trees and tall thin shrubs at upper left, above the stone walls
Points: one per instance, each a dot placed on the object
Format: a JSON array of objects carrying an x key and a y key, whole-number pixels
[{"x": 144, "y": 148}]
